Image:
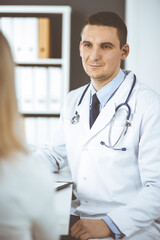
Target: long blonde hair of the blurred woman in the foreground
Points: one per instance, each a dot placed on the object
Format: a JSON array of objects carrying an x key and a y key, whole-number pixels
[{"x": 10, "y": 141}]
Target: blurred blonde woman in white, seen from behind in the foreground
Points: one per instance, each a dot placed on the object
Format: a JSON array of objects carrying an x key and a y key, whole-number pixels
[{"x": 26, "y": 188}]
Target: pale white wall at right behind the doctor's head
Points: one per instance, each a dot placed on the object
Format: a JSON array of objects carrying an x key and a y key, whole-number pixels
[{"x": 143, "y": 22}]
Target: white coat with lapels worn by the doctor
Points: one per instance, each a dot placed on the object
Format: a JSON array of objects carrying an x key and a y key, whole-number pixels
[{"x": 122, "y": 184}]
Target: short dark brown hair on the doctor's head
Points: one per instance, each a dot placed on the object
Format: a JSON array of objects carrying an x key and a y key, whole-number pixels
[{"x": 110, "y": 19}]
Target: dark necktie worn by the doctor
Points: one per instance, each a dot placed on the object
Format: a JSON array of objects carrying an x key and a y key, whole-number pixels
[{"x": 94, "y": 111}]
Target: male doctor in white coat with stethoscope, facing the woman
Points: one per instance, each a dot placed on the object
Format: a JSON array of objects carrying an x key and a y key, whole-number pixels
[{"x": 109, "y": 135}]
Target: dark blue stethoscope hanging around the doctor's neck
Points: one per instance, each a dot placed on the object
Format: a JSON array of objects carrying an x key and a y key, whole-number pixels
[{"x": 76, "y": 118}]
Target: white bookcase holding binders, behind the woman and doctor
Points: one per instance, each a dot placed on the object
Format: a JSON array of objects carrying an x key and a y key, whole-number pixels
[{"x": 39, "y": 81}]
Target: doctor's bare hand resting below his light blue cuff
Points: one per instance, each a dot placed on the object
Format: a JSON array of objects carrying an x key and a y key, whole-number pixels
[{"x": 90, "y": 228}]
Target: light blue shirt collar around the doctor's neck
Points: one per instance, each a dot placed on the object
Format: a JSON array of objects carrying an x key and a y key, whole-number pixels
[{"x": 105, "y": 93}]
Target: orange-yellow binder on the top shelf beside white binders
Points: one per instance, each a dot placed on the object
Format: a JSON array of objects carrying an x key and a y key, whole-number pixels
[{"x": 44, "y": 37}]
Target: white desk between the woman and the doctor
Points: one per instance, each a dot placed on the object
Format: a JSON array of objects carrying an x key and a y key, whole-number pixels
[{"x": 63, "y": 202}]
